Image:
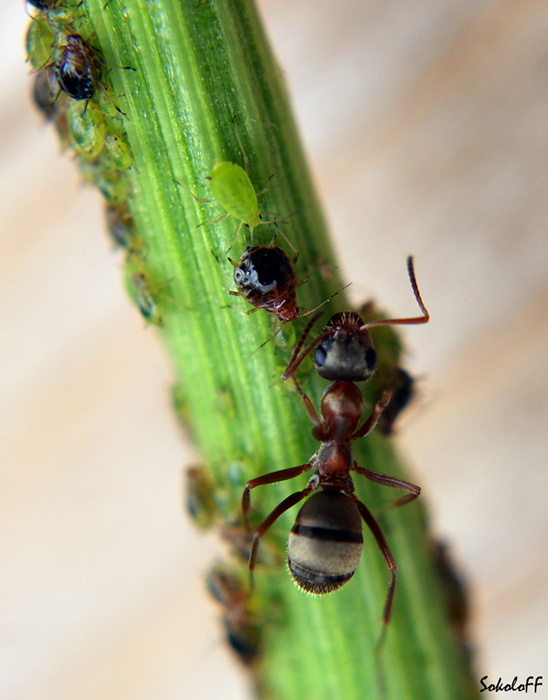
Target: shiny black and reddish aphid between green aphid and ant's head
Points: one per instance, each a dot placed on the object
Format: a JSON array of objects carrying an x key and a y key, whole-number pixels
[{"x": 265, "y": 277}]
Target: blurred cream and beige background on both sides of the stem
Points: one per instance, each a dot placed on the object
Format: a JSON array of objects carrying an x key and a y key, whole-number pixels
[{"x": 426, "y": 123}]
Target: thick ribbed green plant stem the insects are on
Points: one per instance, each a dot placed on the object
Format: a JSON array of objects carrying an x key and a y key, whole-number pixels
[{"x": 198, "y": 66}]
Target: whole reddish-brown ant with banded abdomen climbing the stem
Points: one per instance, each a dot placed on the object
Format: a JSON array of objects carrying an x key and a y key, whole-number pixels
[{"x": 326, "y": 542}]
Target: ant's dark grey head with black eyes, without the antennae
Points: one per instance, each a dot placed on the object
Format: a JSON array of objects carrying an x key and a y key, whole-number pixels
[{"x": 345, "y": 350}]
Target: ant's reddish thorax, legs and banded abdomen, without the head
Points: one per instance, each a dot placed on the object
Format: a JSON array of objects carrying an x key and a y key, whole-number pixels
[{"x": 326, "y": 542}]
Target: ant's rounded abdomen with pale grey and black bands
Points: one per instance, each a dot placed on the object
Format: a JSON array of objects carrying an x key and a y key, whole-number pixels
[{"x": 326, "y": 542}]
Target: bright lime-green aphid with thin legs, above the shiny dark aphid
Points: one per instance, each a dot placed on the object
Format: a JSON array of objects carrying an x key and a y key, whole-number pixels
[{"x": 231, "y": 187}]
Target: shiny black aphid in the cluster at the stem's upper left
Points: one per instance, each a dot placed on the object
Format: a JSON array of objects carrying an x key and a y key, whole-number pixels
[{"x": 77, "y": 68}]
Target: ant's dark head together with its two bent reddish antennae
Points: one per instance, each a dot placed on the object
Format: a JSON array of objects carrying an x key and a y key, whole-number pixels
[{"x": 345, "y": 348}]
